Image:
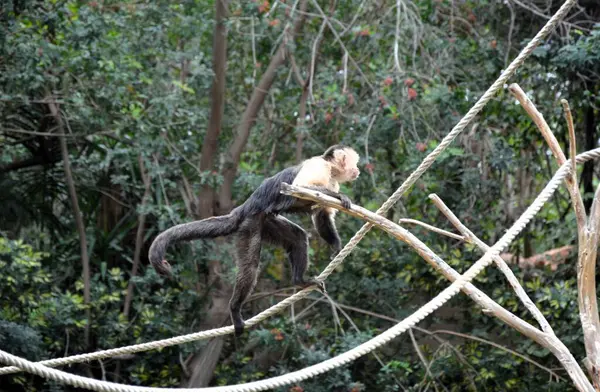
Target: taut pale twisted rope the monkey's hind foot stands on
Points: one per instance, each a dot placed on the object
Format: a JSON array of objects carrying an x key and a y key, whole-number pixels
[{"x": 349, "y": 247}]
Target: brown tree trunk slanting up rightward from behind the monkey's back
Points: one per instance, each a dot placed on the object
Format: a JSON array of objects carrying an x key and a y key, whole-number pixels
[{"x": 232, "y": 159}]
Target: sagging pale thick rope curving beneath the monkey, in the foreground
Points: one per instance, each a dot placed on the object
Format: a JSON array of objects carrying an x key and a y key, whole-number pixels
[{"x": 342, "y": 359}]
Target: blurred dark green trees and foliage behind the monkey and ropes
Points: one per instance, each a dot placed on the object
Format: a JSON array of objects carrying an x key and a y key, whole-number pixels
[{"x": 153, "y": 113}]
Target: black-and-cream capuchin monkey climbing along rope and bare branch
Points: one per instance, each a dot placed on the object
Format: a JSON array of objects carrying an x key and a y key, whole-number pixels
[{"x": 258, "y": 220}]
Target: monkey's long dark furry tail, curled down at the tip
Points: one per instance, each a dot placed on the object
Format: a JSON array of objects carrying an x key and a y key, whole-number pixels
[{"x": 212, "y": 227}]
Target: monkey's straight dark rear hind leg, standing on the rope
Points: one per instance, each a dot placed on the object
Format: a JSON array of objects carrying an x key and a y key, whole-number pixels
[{"x": 248, "y": 247}]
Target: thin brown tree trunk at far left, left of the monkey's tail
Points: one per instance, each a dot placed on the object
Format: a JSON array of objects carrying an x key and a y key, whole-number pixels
[{"x": 77, "y": 216}]
